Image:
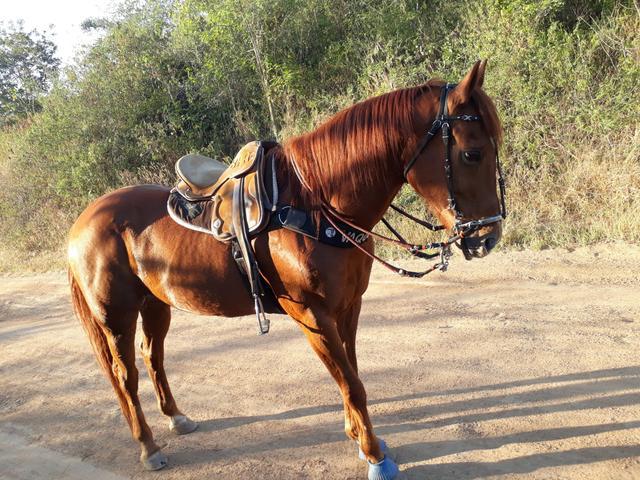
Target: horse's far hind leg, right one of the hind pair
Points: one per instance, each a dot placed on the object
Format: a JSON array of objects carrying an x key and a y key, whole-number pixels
[{"x": 156, "y": 317}]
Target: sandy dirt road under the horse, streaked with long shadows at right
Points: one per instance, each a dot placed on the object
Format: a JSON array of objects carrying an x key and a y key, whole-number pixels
[{"x": 521, "y": 365}]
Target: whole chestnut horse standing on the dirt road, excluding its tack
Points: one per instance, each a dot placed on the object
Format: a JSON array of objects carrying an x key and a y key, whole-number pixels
[{"x": 127, "y": 257}]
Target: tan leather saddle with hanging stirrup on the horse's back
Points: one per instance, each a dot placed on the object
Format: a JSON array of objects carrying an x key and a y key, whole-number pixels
[{"x": 231, "y": 203}]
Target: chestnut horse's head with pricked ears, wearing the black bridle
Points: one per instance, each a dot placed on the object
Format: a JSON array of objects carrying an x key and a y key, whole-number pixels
[{"x": 454, "y": 166}]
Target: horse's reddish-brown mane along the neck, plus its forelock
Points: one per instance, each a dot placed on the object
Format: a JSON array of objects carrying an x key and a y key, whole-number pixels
[{"x": 356, "y": 144}]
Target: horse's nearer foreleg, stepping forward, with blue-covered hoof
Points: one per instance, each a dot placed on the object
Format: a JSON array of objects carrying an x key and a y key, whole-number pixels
[{"x": 321, "y": 330}]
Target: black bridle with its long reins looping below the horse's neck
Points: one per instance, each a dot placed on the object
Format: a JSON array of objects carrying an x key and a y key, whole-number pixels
[{"x": 443, "y": 122}]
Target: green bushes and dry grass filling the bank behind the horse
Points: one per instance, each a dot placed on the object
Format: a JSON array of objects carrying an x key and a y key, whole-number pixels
[{"x": 171, "y": 77}]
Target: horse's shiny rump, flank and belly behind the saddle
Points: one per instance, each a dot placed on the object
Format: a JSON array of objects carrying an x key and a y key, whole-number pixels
[{"x": 126, "y": 242}]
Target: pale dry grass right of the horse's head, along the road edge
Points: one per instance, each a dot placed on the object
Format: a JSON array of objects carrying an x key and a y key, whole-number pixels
[{"x": 594, "y": 197}]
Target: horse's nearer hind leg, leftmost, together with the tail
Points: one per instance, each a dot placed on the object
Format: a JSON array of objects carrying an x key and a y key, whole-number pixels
[{"x": 113, "y": 337}]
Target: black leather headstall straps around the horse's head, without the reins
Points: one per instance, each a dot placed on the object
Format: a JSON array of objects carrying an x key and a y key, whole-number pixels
[{"x": 444, "y": 122}]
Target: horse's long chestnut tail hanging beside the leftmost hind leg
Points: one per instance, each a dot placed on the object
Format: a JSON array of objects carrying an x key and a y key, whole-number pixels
[{"x": 98, "y": 338}]
